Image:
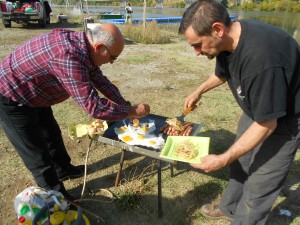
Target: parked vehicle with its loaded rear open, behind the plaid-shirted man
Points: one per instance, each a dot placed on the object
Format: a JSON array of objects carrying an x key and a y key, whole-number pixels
[{"x": 25, "y": 11}]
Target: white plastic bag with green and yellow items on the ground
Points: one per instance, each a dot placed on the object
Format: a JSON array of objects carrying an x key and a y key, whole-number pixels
[{"x": 34, "y": 206}]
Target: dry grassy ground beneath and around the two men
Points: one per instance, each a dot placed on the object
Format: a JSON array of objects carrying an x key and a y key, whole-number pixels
[{"x": 161, "y": 75}]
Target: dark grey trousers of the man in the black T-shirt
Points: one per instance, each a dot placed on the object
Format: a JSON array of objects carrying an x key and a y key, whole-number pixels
[{"x": 256, "y": 178}]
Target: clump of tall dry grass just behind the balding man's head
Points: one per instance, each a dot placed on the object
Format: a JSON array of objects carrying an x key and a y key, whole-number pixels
[{"x": 151, "y": 34}]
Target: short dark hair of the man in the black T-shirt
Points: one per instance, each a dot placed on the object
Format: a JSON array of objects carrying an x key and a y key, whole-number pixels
[{"x": 202, "y": 14}]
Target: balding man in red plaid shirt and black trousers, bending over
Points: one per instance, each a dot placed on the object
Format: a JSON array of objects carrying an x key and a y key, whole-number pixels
[{"x": 47, "y": 70}]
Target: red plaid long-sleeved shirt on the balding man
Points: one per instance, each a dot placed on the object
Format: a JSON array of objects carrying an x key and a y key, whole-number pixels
[{"x": 51, "y": 67}]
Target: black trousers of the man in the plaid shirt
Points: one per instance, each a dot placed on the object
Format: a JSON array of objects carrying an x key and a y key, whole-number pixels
[{"x": 36, "y": 136}]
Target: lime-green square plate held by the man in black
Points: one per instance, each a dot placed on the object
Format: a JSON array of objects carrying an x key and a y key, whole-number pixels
[{"x": 201, "y": 145}]
